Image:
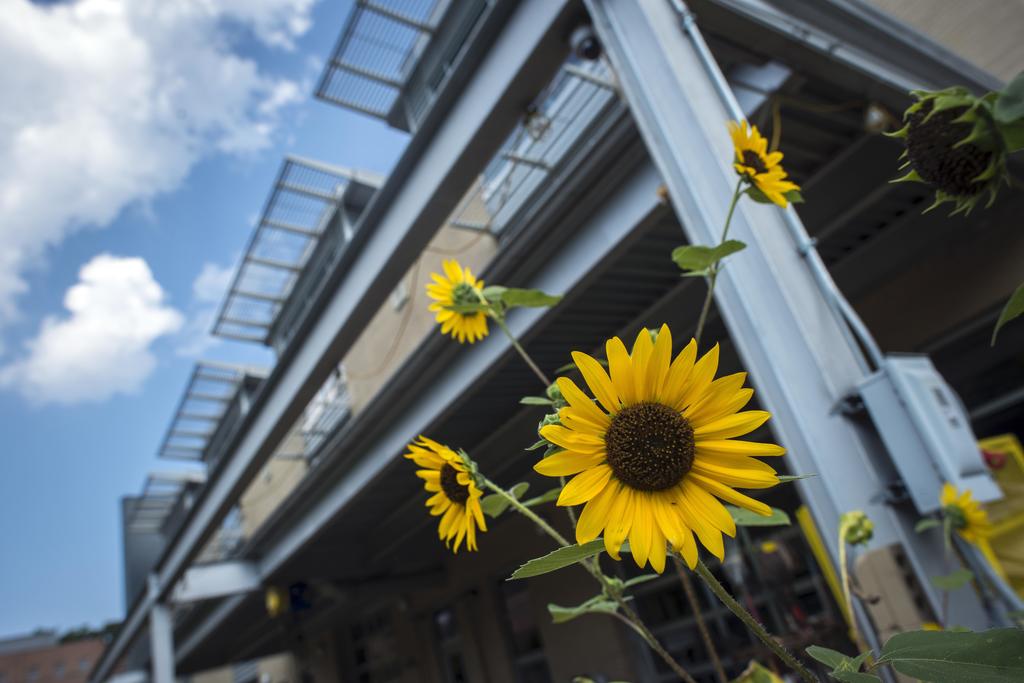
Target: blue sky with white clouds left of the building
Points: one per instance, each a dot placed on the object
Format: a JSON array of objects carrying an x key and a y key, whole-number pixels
[{"x": 74, "y": 446}]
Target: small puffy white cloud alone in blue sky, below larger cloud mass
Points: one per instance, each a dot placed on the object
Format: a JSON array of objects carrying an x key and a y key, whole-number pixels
[{"x": 102, "y": 348}]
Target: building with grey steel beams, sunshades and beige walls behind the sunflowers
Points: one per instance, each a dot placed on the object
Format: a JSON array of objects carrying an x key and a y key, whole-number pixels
[{"x": 571, "y": 147}]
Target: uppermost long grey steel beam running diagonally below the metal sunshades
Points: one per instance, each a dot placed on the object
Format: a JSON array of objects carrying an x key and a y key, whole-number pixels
[{"x": 439, "y": 164}]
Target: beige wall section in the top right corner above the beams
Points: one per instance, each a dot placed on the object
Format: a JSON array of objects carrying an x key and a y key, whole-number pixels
[{"x": 988, "y": 33}]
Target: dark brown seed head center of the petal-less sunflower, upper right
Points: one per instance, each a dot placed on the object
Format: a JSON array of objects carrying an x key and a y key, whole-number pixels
[{"x": 930, "y": 148}]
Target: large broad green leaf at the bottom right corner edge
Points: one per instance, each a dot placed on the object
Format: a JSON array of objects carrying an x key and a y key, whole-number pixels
[{"x": 944, "y": 657}]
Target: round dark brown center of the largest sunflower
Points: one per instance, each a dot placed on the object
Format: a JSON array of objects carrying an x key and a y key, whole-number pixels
[{"x": 650, "y": 447}]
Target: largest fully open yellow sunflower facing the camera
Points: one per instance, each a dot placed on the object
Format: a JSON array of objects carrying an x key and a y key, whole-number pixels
[{"x": 656, "y": 453}]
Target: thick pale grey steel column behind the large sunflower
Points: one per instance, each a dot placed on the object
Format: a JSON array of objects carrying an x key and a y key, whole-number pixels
[{"x": 788, "y": 329}]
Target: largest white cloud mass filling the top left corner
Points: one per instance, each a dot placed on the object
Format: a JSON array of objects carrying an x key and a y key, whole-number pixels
[{"x": 111, "y": 103}]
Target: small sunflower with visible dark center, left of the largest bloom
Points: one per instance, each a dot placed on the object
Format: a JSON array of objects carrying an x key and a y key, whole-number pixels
[{"x": 456, "y": 497}]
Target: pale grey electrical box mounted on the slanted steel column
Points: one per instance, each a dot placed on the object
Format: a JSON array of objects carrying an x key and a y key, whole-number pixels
[{"x": 927, "y": 432}]
